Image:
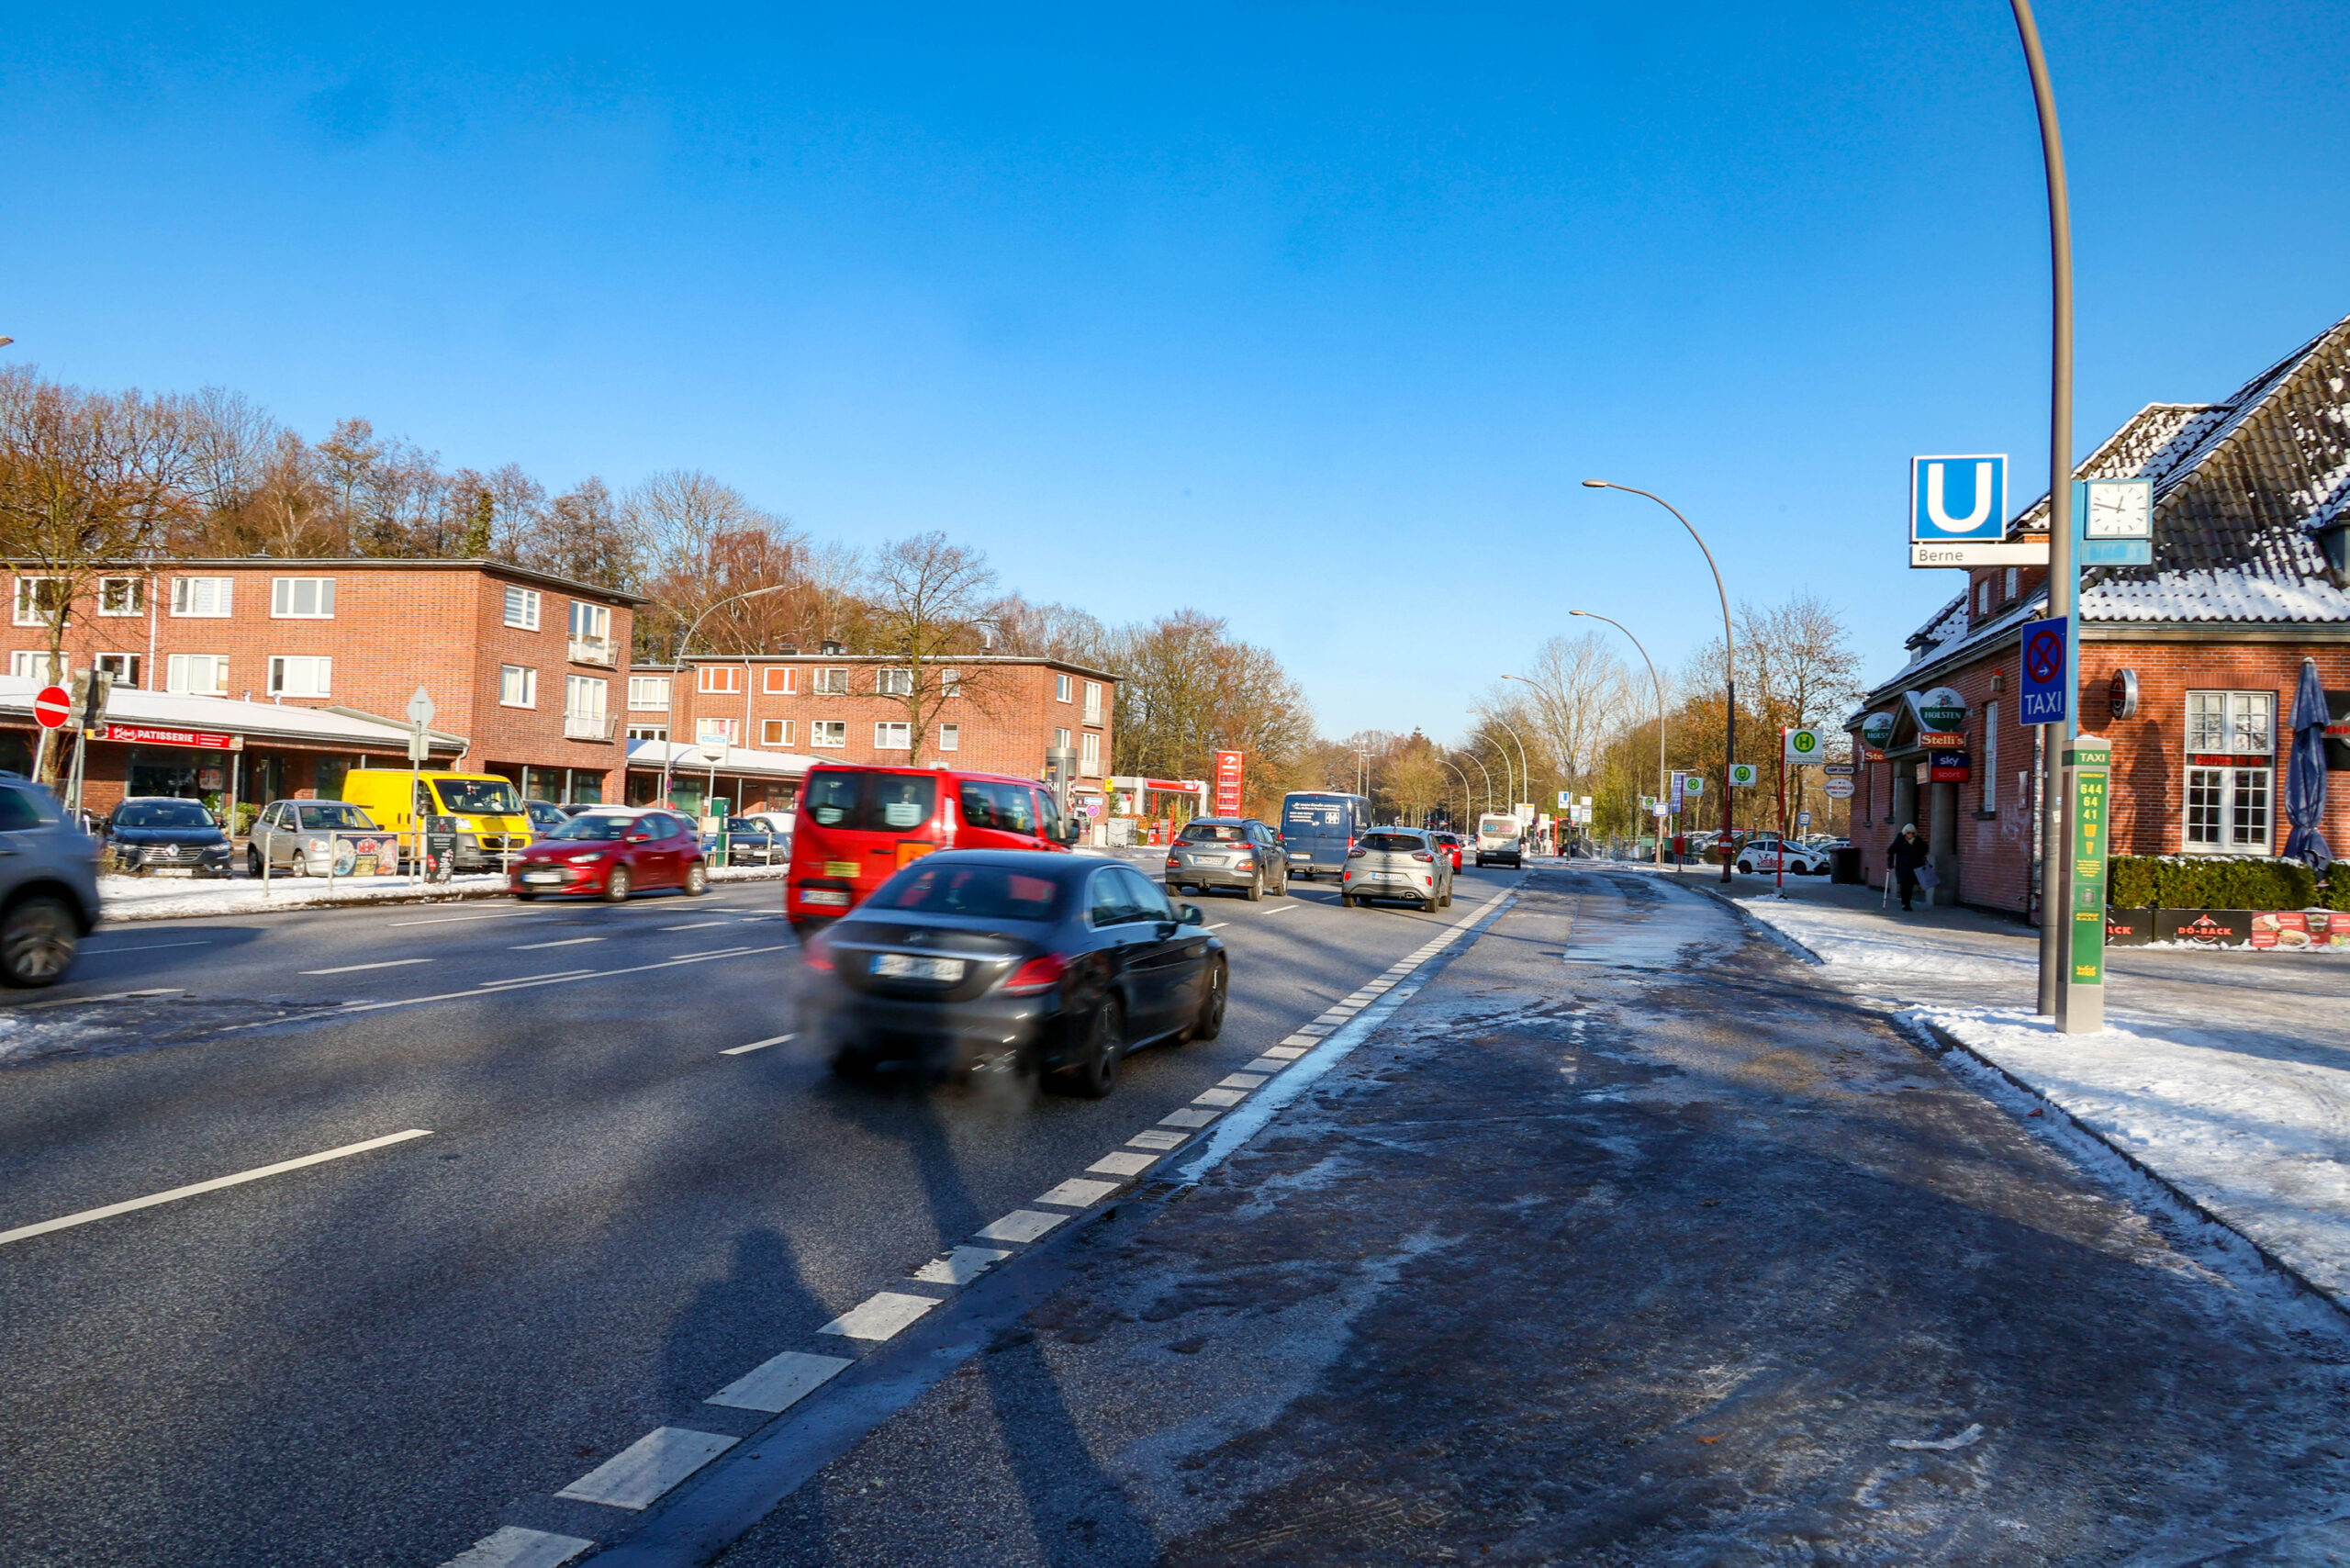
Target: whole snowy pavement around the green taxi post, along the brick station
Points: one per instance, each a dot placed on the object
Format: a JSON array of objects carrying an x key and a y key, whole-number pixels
[{"x": 2231, "y": 1085}]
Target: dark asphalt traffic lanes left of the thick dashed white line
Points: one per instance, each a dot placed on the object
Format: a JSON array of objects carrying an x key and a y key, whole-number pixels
[{"x": 615, "y": 1212}]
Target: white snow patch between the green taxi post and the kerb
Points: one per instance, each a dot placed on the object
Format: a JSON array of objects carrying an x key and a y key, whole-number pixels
[{"x": 2255, "y": 1141}]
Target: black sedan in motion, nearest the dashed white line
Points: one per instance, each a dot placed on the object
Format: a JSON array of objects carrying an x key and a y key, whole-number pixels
[{"x": 1012, "y": 960}]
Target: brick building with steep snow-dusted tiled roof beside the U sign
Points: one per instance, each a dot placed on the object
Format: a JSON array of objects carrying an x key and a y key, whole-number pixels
[{"x": 2189, "y": 666}]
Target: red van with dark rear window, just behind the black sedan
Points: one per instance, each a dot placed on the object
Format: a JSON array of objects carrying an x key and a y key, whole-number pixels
[{"x": 859, "y": 826}]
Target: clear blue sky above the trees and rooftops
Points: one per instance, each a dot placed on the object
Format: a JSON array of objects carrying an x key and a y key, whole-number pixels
[{"x": 1289, "y": 314}]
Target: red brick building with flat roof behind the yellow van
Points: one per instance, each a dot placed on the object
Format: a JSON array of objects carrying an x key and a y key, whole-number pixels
[{"x": 528, "y": 674}]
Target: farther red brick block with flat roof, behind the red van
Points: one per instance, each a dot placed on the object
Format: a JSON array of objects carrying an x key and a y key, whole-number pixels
[{"x": 784, "y": 713}]
